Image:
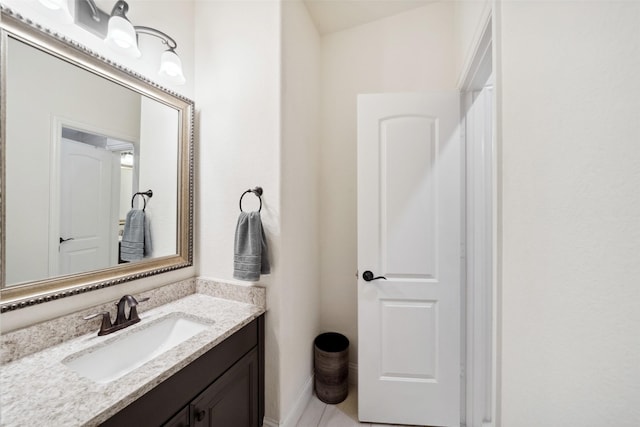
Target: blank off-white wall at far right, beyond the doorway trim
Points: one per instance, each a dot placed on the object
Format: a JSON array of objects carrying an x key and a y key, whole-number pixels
[{"x": 569, "y": 99}]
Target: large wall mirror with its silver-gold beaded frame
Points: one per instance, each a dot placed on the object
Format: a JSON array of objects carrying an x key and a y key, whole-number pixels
[{"x": 96, "y": 174}]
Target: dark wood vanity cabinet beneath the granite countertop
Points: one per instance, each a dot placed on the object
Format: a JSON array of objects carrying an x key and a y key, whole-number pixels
[{"x": 223, "y": 387}]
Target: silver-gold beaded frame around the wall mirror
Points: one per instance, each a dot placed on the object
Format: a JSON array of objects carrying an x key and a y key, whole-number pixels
[{"x": 32, "y": 293}]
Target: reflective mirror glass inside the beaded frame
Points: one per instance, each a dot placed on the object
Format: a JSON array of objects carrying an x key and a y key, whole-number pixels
[{"x": 65, "y": 192}]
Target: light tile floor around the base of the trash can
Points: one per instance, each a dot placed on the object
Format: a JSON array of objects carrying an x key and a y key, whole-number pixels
[{"x": 345, "y": 414}]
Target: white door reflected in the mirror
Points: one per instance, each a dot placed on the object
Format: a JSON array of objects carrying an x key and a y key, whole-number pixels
[{"x": 86, "y": 185}]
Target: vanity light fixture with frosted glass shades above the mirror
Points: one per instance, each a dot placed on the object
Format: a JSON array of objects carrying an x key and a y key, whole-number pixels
[{"x": 118, "y": 32}]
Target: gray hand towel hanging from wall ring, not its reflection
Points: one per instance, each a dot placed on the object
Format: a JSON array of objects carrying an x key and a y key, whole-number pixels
[{"x": 251, "y": 257}]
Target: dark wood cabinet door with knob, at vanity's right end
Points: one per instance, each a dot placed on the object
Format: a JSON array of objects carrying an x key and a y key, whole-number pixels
[{"x": 232, "y": 400}]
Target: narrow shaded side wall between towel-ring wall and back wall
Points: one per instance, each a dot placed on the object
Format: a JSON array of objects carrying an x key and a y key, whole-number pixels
[{"x": 300, "y": 150}]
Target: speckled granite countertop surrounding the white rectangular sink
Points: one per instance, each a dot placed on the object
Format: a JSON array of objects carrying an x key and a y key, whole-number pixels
[{"x": 40, "y": 390}]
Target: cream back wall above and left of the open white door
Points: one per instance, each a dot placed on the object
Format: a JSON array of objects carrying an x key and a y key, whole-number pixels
[{"x": 411, "y": 51}]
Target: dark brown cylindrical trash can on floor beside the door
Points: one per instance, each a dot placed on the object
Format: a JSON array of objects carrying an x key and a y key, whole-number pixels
[{"x": 331, "y": 367}]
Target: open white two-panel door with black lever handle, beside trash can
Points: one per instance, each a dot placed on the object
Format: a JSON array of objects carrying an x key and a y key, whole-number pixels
[{"x": 409, "y": 231}]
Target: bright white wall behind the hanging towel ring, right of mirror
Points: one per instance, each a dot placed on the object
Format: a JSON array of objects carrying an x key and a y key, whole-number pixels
[{"x": 237, "y": 44}]
